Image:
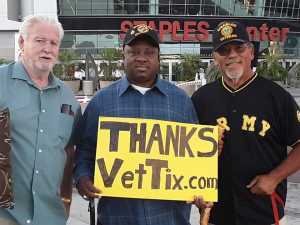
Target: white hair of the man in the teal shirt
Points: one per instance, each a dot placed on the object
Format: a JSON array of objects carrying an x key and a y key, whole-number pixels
[{"x": 30, "y": 20}]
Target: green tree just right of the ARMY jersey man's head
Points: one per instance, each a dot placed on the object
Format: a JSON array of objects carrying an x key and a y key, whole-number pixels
[{"x": 270, "y": 66}]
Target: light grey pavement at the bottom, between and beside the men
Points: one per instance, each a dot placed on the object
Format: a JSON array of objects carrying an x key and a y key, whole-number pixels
[{"x": 79, "y": 214}]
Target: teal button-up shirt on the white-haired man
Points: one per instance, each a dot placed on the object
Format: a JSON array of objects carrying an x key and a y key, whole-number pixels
[{"x": 41, "y": 128}]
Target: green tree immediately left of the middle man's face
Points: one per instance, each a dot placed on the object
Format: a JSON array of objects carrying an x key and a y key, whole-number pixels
[{"x": 110, "y": 57}]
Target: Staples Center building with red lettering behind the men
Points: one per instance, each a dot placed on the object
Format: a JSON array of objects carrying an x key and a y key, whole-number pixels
[{"x": 184, "y": 26}]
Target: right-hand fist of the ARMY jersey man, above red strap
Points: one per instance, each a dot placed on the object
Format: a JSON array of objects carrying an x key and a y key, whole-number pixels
[{"x": 263, "y": 185}]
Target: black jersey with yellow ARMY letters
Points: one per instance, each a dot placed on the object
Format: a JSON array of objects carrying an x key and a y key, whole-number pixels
[{"x": 261, "y": 120}]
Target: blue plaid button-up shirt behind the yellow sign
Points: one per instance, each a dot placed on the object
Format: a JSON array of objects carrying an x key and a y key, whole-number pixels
[{"x": 165, "y": 102}]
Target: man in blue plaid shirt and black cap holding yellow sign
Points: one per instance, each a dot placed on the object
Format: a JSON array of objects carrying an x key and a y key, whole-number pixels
[{"x": 140, "y": 94}]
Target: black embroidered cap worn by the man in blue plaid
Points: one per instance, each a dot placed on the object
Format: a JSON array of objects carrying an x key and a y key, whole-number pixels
[{"x": 141, "y": 31}]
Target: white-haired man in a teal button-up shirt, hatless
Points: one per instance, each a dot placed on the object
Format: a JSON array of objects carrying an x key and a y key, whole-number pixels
[{"x": 43, "y": 113}]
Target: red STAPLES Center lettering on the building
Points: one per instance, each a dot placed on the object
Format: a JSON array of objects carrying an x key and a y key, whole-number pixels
[{"x": 193, "y": 31}]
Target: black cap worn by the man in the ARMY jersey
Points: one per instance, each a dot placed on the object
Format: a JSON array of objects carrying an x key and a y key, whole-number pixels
[{"x": 227, "y": 32}]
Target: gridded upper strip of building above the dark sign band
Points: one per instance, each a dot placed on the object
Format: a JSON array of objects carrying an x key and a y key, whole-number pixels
[{"x": 282, "y": 8}]
